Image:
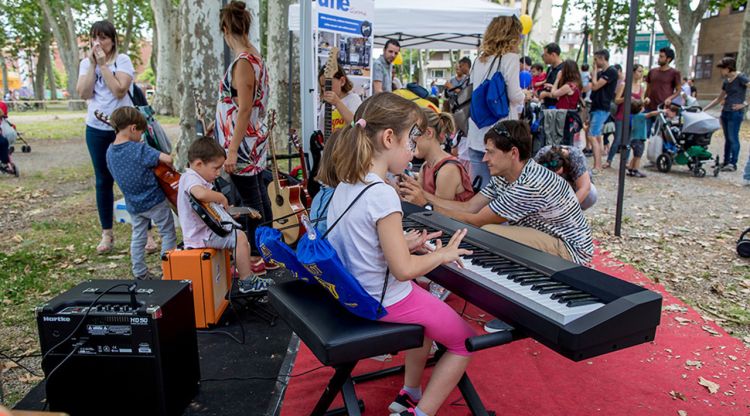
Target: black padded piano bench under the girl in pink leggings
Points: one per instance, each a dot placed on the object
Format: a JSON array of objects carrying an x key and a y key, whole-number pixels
[{"x": 338, "y": 338}]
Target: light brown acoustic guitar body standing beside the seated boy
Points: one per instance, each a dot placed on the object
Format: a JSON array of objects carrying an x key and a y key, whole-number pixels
[{"x": 287, "y": 210}]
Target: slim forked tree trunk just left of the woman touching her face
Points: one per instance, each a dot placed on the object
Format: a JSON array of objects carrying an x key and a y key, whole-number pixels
[{"x": 63, "y": 28}]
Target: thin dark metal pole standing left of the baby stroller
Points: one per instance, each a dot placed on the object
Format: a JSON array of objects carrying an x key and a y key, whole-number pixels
[{"x": 625, "y": 141}]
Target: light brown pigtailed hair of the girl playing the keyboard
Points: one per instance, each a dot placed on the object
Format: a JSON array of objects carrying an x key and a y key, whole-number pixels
[{"x": 355, "y": 146}]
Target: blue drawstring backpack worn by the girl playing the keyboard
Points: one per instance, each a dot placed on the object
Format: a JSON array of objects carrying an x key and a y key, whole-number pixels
[{"x": 323, "y": 263}]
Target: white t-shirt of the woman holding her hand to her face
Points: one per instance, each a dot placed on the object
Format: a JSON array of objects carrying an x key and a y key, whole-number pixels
[{"x": 103, "y": 99}]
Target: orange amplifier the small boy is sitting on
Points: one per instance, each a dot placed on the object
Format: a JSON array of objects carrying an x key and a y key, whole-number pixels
[{"x": 209, "y": 270}]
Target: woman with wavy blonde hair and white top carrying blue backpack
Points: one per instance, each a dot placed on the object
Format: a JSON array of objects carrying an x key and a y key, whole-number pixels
[{"x": 501, "y": 40}]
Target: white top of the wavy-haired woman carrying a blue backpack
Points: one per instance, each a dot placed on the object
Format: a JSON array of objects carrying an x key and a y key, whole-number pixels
[{"x": 510, "y": 67}]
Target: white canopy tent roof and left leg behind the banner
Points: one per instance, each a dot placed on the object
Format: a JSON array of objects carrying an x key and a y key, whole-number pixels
[{"x": 419, "y": 24}]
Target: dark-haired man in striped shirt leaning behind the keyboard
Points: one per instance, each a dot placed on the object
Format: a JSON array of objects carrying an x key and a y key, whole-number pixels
[{"x": 524, "y": 202}]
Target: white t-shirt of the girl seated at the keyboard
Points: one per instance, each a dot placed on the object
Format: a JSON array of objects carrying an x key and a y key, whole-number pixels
[{"x": 355, "y": 237}]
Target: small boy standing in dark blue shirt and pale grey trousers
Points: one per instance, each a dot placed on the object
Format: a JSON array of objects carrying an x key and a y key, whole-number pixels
[{"x": 131, "y": 162}]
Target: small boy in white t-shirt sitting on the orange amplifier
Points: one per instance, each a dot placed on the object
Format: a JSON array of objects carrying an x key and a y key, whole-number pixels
[{"x": 206, "y": 159}]
